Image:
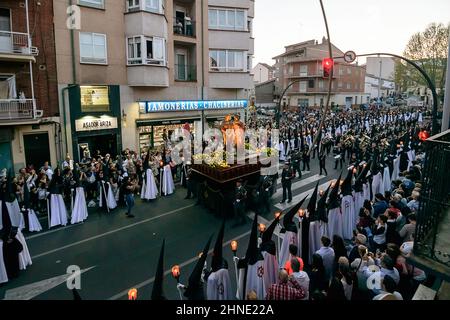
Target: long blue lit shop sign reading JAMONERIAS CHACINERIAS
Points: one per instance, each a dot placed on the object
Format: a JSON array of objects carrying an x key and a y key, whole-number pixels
[{"x": 172, "y": 106}]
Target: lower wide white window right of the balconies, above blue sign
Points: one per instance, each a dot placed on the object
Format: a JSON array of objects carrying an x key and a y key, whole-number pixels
[{"x": 228, "y": 60}]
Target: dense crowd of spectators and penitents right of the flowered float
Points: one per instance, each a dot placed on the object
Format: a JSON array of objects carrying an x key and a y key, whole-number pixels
[{"x": 352, "y": 241}]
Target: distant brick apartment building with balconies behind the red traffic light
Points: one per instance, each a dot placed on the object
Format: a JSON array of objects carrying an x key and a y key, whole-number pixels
[{"x": 301, "y": 64}]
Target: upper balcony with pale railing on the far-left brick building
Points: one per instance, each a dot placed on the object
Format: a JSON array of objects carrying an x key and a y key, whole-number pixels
[{"x": 15, "y": 46}]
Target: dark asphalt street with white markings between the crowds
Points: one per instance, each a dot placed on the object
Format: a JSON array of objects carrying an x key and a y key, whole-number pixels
[{"x": 123, "y": 252}]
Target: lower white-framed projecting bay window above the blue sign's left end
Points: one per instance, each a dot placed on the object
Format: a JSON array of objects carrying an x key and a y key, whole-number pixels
[{"x": 146, "y": 50}]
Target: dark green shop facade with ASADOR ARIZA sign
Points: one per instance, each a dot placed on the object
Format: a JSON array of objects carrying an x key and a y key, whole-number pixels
[{"x": 95, "y": 120}]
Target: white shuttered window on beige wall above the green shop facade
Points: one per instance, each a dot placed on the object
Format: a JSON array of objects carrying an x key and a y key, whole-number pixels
[{"x": 93, "y": 48}]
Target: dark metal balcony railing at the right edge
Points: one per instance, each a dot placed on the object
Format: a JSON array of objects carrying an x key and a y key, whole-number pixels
[{"x": 433, "y": 221}]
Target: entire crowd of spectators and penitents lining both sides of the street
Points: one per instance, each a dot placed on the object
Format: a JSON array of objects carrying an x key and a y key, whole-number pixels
[{"x": 360, "y": 226}]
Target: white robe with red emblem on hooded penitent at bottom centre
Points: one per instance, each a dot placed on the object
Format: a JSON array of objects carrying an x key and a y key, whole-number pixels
[{"x": 255, "y": 281}]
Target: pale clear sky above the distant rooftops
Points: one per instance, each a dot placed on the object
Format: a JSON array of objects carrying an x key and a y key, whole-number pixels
[{"x": 364, "y": 26}]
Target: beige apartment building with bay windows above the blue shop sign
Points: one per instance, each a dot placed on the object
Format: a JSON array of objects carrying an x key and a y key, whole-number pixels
[{"x": 131, "y": 69}]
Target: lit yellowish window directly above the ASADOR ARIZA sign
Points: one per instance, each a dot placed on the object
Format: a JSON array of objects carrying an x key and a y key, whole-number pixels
[{"x": 94, "y": 99}]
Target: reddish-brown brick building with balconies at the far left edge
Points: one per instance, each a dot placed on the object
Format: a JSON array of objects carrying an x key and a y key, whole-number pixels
[{"x": 29, "y": 115}]
